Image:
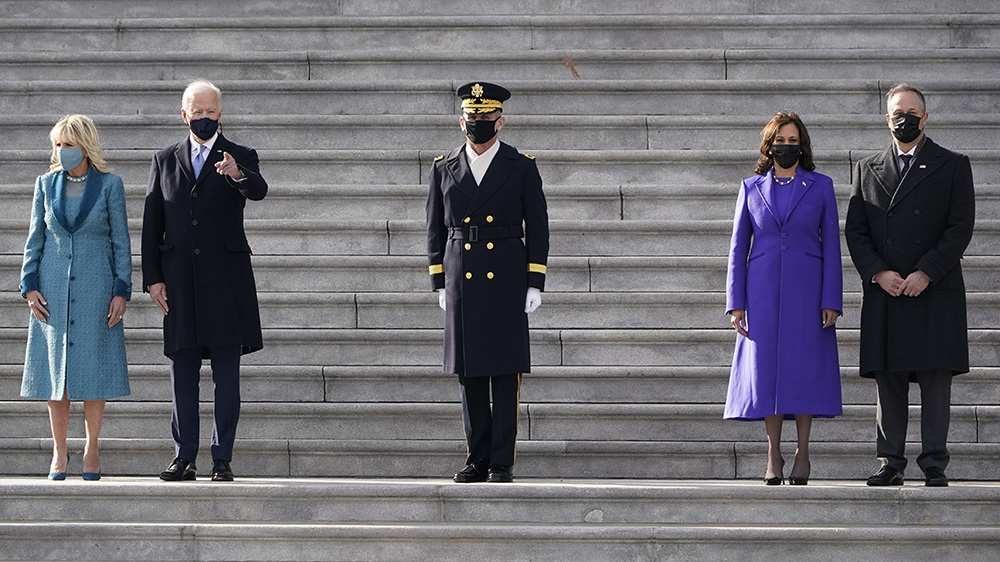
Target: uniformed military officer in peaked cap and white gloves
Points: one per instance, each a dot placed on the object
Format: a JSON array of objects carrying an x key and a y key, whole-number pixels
[{"x": 484, "y": 198}]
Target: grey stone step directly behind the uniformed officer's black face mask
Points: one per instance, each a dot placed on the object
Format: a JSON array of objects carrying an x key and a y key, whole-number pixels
[{"x": 956, "y": 131}]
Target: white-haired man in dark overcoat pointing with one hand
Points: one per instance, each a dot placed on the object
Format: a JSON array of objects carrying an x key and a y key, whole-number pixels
[{"x": 196, "y": 268}]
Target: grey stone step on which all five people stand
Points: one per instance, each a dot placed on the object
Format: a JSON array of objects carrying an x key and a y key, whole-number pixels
[{"x": 573, "y": 501}]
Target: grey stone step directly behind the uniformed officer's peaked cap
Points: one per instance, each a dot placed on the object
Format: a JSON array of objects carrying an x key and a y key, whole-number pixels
[{"x": 436, "y": 97}]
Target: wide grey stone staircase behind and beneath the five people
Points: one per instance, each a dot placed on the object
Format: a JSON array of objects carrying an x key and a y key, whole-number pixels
[{"x": 643, "y": 117}]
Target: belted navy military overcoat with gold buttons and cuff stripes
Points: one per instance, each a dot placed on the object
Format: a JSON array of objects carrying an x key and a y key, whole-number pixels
[{"x": 476, "y": 255}]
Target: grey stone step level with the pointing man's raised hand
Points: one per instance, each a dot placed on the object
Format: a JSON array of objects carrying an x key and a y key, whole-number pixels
[{"x": 561, "y": 167}]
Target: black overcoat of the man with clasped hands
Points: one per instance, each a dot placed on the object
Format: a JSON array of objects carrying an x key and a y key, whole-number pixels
[{"x": 925, "y": 224}]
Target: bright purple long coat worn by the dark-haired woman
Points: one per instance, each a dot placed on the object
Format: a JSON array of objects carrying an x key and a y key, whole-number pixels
[{"x": 784, "y": 268}]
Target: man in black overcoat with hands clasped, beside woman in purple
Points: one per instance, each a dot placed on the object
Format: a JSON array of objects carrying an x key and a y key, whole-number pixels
[{"x": 909, "y": 220}]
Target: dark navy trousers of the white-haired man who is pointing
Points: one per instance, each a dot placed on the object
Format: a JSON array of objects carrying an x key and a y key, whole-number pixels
[{"x": 185, "y": 365}]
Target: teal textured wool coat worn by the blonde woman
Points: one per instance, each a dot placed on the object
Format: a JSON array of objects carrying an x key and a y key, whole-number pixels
[{"x": 78, "y": 267}]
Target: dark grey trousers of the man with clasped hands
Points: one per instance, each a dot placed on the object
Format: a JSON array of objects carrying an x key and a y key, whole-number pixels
[{"x": 935, "y": 416}]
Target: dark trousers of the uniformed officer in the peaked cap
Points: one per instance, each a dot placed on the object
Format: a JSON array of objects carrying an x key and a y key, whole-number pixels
[{"x": 491, "y": 432}]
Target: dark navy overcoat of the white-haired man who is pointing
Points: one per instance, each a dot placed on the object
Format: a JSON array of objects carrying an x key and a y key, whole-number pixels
[{"x": 193, "y": 240}]
